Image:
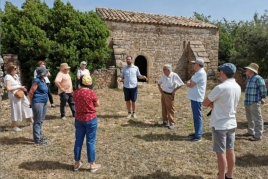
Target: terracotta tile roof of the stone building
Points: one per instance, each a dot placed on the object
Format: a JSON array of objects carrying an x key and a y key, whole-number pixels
[{"x": 139, "y": 17}]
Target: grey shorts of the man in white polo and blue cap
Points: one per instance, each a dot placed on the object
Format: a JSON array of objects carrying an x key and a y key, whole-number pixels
[{"x": 223, "y": 139}]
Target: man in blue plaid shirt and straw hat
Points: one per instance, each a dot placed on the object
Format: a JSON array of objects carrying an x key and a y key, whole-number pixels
[{"x": 255, "y": 95}]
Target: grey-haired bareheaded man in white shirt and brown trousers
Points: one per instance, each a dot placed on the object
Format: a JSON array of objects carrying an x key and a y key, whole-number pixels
[{"x": 171, "y": 82}]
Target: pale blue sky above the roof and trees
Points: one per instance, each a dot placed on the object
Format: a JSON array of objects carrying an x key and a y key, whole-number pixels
[{"x": 218, "y": 9}]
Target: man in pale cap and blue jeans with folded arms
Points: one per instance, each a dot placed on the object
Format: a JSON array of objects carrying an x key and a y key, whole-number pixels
[{"x": 196, "y": 93}]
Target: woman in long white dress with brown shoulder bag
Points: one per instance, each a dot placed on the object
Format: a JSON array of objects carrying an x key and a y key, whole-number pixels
[{"x": 19, "y": 106}]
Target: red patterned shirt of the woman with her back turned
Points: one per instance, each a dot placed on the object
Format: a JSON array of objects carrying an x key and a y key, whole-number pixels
[{"x": 84, "y": 100}]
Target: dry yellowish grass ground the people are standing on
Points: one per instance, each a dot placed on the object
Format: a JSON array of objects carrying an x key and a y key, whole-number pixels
[{"x": 128, "y": 148}]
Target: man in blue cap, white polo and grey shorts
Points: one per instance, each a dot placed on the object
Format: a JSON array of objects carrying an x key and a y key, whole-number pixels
[{"x": 224, "y": 99}]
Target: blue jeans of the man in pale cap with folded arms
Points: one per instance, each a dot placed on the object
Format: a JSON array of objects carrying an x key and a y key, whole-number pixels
[{"x": 197, "y": 114}]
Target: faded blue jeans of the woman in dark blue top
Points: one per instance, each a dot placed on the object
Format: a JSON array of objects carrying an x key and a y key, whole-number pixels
[{"x": 39, "y": 114}]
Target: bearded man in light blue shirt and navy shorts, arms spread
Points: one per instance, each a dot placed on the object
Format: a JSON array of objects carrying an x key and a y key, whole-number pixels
[{"x": 129, "y": 77}]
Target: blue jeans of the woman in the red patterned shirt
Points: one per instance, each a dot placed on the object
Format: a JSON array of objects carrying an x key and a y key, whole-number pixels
[{"x": 88, "y": 128}]
